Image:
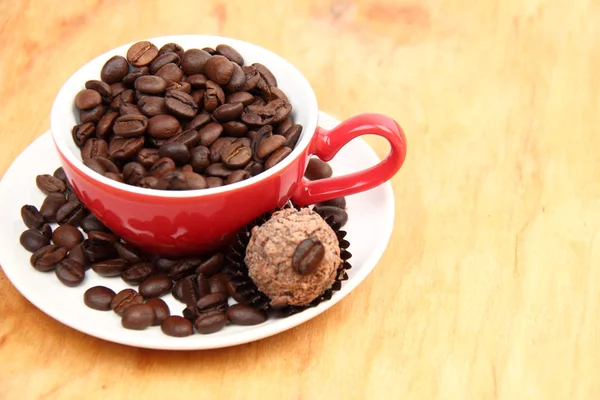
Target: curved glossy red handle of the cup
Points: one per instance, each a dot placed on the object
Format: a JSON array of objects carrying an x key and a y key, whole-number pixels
[{"x": 326, "y": 144}]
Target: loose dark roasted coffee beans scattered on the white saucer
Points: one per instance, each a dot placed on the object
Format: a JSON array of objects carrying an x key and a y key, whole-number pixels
[{"x": 68, "y": 239}]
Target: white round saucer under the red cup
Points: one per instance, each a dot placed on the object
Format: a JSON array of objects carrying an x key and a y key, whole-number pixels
[{"x": 371, "y": 219}]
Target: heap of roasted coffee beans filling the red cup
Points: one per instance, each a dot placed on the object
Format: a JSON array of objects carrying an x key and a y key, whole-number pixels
[{"x": 171, "y": 119}]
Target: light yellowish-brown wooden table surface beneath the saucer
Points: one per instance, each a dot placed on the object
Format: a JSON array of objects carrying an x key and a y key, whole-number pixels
[{"x": 489, "y": 286}]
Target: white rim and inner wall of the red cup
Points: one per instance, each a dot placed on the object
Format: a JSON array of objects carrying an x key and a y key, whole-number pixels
[{"x": 64, "y": 104}]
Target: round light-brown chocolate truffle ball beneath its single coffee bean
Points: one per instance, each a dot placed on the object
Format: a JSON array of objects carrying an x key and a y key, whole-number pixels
[{"x": 271, "y": 249}]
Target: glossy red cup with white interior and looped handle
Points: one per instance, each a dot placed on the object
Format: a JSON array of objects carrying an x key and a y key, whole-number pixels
[{"x": 183, "y": 223}]
